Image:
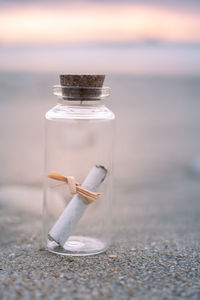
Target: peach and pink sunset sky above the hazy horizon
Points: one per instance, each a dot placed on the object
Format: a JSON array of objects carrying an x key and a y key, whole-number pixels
[{"x": 97, "y": 21}]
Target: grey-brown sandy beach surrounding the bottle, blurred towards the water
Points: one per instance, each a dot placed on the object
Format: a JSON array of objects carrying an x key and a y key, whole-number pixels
[{"x": 156, "y": 245}]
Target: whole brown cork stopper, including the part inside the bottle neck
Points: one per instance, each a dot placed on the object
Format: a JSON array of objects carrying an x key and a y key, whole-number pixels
[{"x": 83, "y": 87}]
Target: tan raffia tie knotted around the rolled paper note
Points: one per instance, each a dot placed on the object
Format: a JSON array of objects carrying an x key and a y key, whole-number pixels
[{"x": 75, "y": 188}]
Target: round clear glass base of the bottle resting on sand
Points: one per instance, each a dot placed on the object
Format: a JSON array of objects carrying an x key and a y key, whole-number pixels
[{"x": 77, "y": 246}]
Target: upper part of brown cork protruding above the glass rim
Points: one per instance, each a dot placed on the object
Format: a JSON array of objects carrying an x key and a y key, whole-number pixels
[{"x": 82, "y": 80}]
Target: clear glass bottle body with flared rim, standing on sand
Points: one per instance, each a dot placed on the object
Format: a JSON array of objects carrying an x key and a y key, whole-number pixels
[{"x": 78, "y": 143}]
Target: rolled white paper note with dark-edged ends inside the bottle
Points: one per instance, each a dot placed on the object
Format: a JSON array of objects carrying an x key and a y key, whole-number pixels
[{"x": 68, "y": 220}]
